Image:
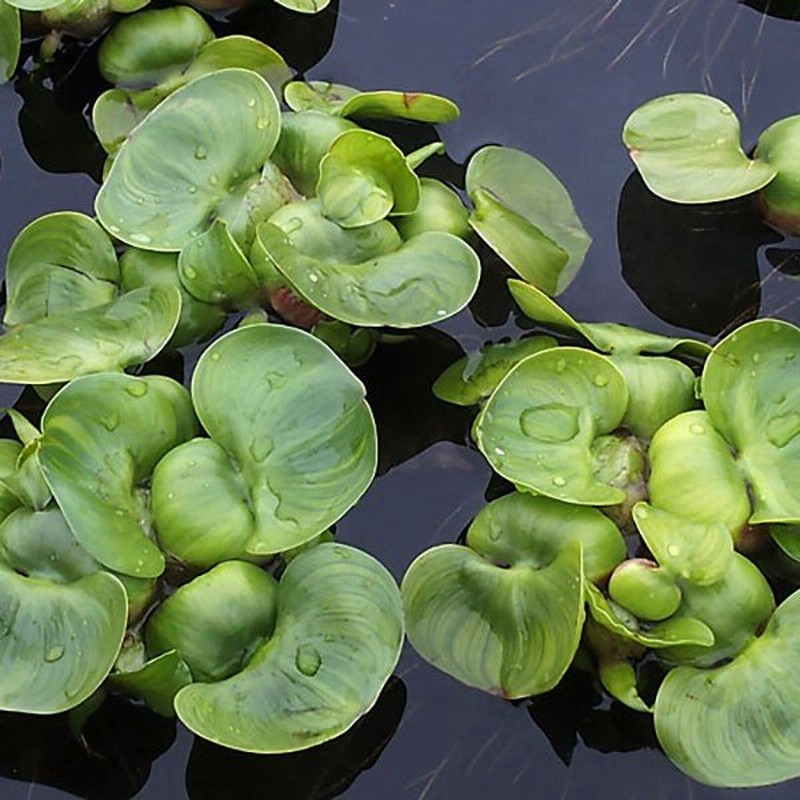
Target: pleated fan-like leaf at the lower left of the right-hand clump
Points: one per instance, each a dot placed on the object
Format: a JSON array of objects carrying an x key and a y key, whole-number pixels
[{"x": 509, "y": 630}]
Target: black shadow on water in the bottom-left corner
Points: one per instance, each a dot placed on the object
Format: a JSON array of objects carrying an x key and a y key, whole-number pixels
[{"x": 120, "y": 743}]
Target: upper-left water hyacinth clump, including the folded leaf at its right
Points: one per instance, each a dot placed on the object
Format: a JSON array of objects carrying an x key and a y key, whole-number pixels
[{"x": 228, "y": 204}]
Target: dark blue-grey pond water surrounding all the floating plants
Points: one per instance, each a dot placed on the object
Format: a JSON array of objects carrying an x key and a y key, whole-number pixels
[{"x": 556, "y": 78}]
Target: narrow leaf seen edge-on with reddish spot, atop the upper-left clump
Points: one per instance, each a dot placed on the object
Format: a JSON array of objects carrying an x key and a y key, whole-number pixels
[{"x": 345, "y": 101}]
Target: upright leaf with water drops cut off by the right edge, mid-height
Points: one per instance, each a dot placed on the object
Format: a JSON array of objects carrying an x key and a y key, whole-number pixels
[{"x": 751, "y": 388}]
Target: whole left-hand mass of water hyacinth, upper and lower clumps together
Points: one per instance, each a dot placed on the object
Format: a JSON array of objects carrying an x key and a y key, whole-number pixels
[{"x": 125, "y": 537}]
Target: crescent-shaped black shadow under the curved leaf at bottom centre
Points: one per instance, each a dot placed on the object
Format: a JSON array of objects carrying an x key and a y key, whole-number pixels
[{"x": 317, "y": 774}]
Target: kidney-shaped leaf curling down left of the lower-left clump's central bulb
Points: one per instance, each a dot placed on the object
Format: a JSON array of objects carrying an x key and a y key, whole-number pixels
[{"x": 101, "y": 437}]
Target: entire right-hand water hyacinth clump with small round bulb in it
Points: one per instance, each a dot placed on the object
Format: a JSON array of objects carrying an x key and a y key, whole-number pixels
[{"x": 627, "y": 441}]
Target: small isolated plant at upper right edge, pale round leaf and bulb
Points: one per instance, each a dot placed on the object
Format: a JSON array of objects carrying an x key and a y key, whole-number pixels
[{"x": 688, "y": 149}]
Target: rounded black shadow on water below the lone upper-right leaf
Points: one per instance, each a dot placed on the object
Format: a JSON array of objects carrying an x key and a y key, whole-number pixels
[{"x": 694, "y": 266}]
